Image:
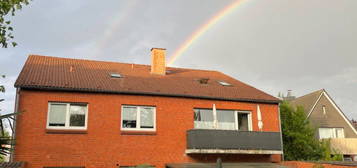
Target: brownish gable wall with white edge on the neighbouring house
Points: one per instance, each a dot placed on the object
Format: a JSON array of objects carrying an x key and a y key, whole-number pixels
[{"x": 325, "y": 113}]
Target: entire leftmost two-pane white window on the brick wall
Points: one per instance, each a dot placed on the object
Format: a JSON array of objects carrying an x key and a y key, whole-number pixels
[{"x": 67, "y": 116}]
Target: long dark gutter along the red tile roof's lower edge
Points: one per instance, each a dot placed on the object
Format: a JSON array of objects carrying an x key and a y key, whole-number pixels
[{"x": 149, "y": 93}]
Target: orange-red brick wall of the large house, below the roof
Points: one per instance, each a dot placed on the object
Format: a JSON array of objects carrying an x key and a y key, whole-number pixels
[{"x": 104, "y": 145}]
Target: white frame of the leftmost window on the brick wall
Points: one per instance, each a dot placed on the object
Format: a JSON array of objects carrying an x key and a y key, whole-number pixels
[{"x": 67, "y": 124}]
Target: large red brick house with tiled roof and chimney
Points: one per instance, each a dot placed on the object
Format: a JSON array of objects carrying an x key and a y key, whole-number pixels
[{"x": 95, "y": 114}]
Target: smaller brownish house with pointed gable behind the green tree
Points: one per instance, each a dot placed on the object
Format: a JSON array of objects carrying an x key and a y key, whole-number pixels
[{"x": 330, "y": 122}]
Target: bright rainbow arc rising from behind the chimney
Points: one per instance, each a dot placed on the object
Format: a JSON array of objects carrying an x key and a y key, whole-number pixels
[{"x": 202, "y": 29}]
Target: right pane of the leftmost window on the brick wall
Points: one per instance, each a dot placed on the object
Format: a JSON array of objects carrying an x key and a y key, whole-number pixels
[{"x": 77, "y": 115}]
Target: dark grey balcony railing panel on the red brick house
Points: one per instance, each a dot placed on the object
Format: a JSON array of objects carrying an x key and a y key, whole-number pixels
[{"x": 232, "y": 141}]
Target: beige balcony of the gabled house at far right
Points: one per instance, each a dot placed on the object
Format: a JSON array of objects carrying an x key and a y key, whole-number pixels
[{"x": 347, "y": 146}]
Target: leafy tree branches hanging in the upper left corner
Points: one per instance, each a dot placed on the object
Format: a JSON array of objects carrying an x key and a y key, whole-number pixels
[{"x": 8, "y": 7}]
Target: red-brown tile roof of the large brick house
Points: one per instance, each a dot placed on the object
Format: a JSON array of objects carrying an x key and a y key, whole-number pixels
[{"x": 44, "y": 72}]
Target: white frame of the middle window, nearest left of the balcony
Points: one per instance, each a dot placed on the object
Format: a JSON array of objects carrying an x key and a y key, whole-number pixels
[{"x": 138, "y": 123}]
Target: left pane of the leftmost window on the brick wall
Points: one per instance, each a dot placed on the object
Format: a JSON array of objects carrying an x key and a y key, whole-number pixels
[{"x": 57, "y": 116}]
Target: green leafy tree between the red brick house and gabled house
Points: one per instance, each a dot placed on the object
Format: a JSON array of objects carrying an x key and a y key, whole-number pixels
[{"x": 299, "y": 137}]
